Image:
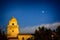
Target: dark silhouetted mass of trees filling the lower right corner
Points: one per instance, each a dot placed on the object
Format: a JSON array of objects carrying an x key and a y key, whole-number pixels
[{"x": 47, "y": 34}]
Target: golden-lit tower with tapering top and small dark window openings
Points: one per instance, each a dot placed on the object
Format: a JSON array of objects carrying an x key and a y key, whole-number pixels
[{"x": 12, "y": 28}]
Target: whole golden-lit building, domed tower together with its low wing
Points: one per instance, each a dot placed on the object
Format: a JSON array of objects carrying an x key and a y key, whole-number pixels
[{"x": 13, "y": 31}]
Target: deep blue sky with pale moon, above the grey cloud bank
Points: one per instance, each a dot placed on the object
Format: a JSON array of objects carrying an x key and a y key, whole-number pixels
[{"x": 29, "y": 13}]
